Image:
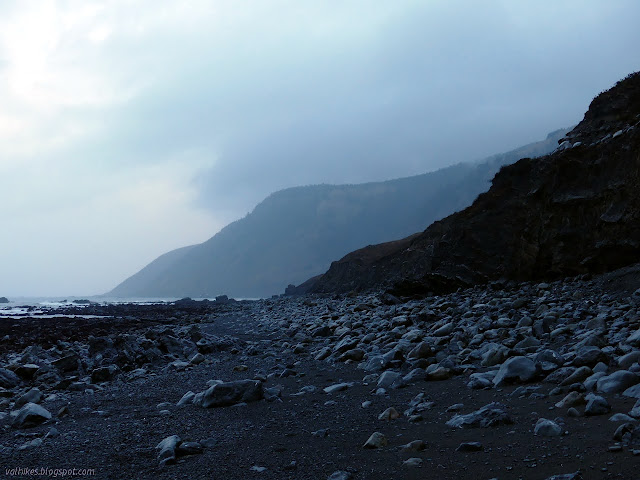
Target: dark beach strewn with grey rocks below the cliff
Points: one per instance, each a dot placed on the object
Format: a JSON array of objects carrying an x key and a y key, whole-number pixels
[{"x": 506, "y": 381}]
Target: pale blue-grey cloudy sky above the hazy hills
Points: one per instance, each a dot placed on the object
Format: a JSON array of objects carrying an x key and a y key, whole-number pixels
[{"x": 128, "y": 129}]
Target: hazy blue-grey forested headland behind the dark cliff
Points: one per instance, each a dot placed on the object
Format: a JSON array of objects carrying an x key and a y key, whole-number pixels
[{"x": 294, "y": 234}]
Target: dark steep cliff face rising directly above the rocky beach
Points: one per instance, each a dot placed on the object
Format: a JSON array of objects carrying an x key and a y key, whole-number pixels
[{"x": 574, "y": 211}]
